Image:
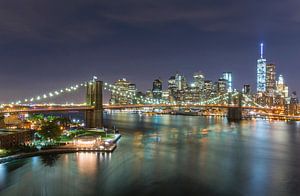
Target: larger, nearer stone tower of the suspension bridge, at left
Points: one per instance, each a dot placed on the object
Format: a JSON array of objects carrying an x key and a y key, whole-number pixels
[{"x": 94, "y": 117}]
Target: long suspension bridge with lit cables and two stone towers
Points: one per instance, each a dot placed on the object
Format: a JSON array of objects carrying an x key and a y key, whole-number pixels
[{"x": 235, "y": 103}]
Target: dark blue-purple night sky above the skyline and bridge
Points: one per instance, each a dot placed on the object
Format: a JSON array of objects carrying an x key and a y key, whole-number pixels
[{"x": 50, "y": 44}]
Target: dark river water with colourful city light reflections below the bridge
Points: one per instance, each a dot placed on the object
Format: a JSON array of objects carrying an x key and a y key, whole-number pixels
[{"x": 169, "y": 155}]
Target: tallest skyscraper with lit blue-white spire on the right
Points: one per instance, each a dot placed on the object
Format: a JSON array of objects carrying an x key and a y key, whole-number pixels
[{"x": 261, "y": 71}]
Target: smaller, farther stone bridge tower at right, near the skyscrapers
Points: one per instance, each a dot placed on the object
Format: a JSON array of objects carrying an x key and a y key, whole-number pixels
[{"x": 234, "y": 113}]
